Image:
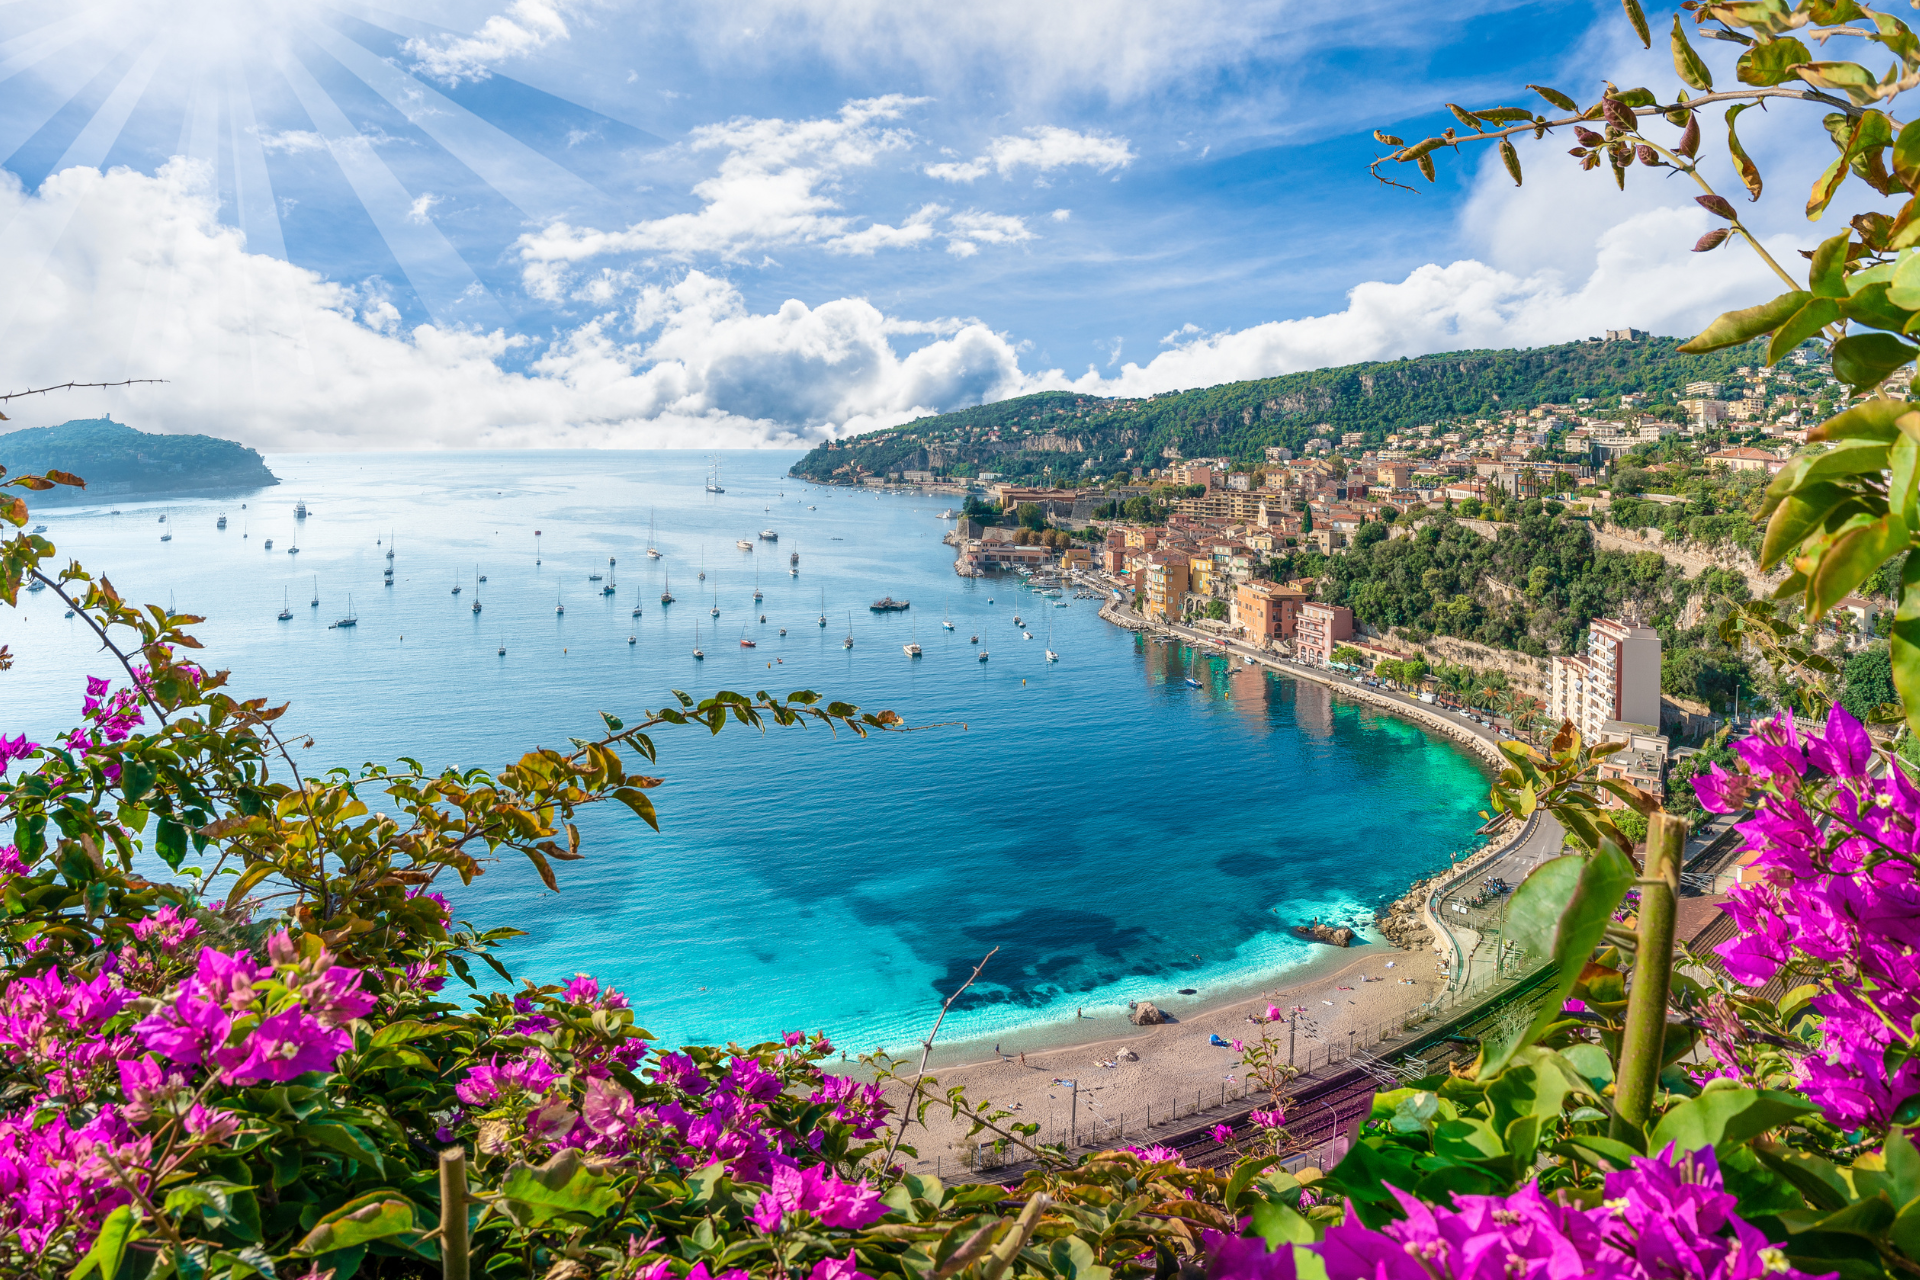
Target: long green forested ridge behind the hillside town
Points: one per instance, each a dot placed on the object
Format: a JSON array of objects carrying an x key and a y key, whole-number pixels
[{"x": 1063, "y": 431}]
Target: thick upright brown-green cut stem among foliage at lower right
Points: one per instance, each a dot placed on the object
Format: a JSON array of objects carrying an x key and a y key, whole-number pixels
[{"x": 1646, "y": 1007}]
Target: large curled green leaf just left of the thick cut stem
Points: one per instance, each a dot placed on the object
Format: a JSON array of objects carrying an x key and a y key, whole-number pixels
[{"x": 1562, "y": 913}]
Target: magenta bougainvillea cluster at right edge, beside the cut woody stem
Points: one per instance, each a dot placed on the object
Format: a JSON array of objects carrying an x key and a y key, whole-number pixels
[{"x": 1838, "y": 853}]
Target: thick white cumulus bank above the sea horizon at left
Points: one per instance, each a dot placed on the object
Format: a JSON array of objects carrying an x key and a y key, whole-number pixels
[{"x": 133, "y": 275}]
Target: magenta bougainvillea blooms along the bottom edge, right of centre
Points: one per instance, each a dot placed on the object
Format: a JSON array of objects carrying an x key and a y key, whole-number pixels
[{"x": 1662, "y": 1218}]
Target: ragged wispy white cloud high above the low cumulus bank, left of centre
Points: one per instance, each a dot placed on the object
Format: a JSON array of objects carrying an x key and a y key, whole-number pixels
[{"x": 771, "y": 191}]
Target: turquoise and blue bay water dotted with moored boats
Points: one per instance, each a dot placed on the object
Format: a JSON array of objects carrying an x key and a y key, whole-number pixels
[{"x": 1115, "y": 832}]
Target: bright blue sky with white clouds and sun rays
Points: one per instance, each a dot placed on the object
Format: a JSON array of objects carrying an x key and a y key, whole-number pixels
[{"x": 587, "y": 224}]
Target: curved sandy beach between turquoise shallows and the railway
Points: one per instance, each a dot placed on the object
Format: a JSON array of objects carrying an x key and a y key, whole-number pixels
[{"x": 1138, "y": 1081}]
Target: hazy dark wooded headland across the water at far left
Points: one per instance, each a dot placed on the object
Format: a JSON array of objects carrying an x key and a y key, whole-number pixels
[{"x": 122, "y": 463}]
